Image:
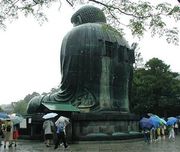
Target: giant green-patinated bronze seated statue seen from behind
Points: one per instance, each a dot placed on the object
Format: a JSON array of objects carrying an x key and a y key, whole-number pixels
[{"x": 96, "y": 67}]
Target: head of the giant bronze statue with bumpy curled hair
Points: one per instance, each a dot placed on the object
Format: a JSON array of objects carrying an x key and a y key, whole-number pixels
[{"x": 88, "y": 14}]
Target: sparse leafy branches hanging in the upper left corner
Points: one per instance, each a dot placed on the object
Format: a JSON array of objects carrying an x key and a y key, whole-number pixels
[{"x": 10, "y": 10}]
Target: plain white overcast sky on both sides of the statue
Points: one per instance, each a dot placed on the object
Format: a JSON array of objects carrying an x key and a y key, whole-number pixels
[{"x": 30, "y": 54}]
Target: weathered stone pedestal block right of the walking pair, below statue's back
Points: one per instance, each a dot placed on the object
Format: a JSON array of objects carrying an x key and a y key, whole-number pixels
[{"x": 104, "y": 126}]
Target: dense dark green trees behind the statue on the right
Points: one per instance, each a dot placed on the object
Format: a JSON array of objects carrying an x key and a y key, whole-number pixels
[{"x": 155, "y": 89}]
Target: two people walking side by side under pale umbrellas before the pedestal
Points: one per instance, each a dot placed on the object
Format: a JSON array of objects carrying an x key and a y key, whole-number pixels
[{"x": 55, "y": 132}]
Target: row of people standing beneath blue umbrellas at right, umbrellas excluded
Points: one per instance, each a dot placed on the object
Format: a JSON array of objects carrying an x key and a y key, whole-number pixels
[{"x": 156, "y": 134}]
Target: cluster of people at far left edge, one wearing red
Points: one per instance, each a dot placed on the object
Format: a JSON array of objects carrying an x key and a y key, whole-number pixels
[{"x": 9, "y": 132}]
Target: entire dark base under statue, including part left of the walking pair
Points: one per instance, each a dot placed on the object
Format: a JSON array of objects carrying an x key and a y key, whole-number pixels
[{"x": 94, "y": 126}]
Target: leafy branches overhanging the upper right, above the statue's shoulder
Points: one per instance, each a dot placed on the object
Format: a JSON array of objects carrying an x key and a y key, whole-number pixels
[{"x": 142, "y": 16}]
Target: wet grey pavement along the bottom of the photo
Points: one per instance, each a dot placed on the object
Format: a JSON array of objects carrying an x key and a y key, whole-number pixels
[{"x": 134, "y": 145}]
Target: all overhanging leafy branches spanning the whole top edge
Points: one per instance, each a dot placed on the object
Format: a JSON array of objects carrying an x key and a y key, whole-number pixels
[{"x": 138, "y": 16}]
